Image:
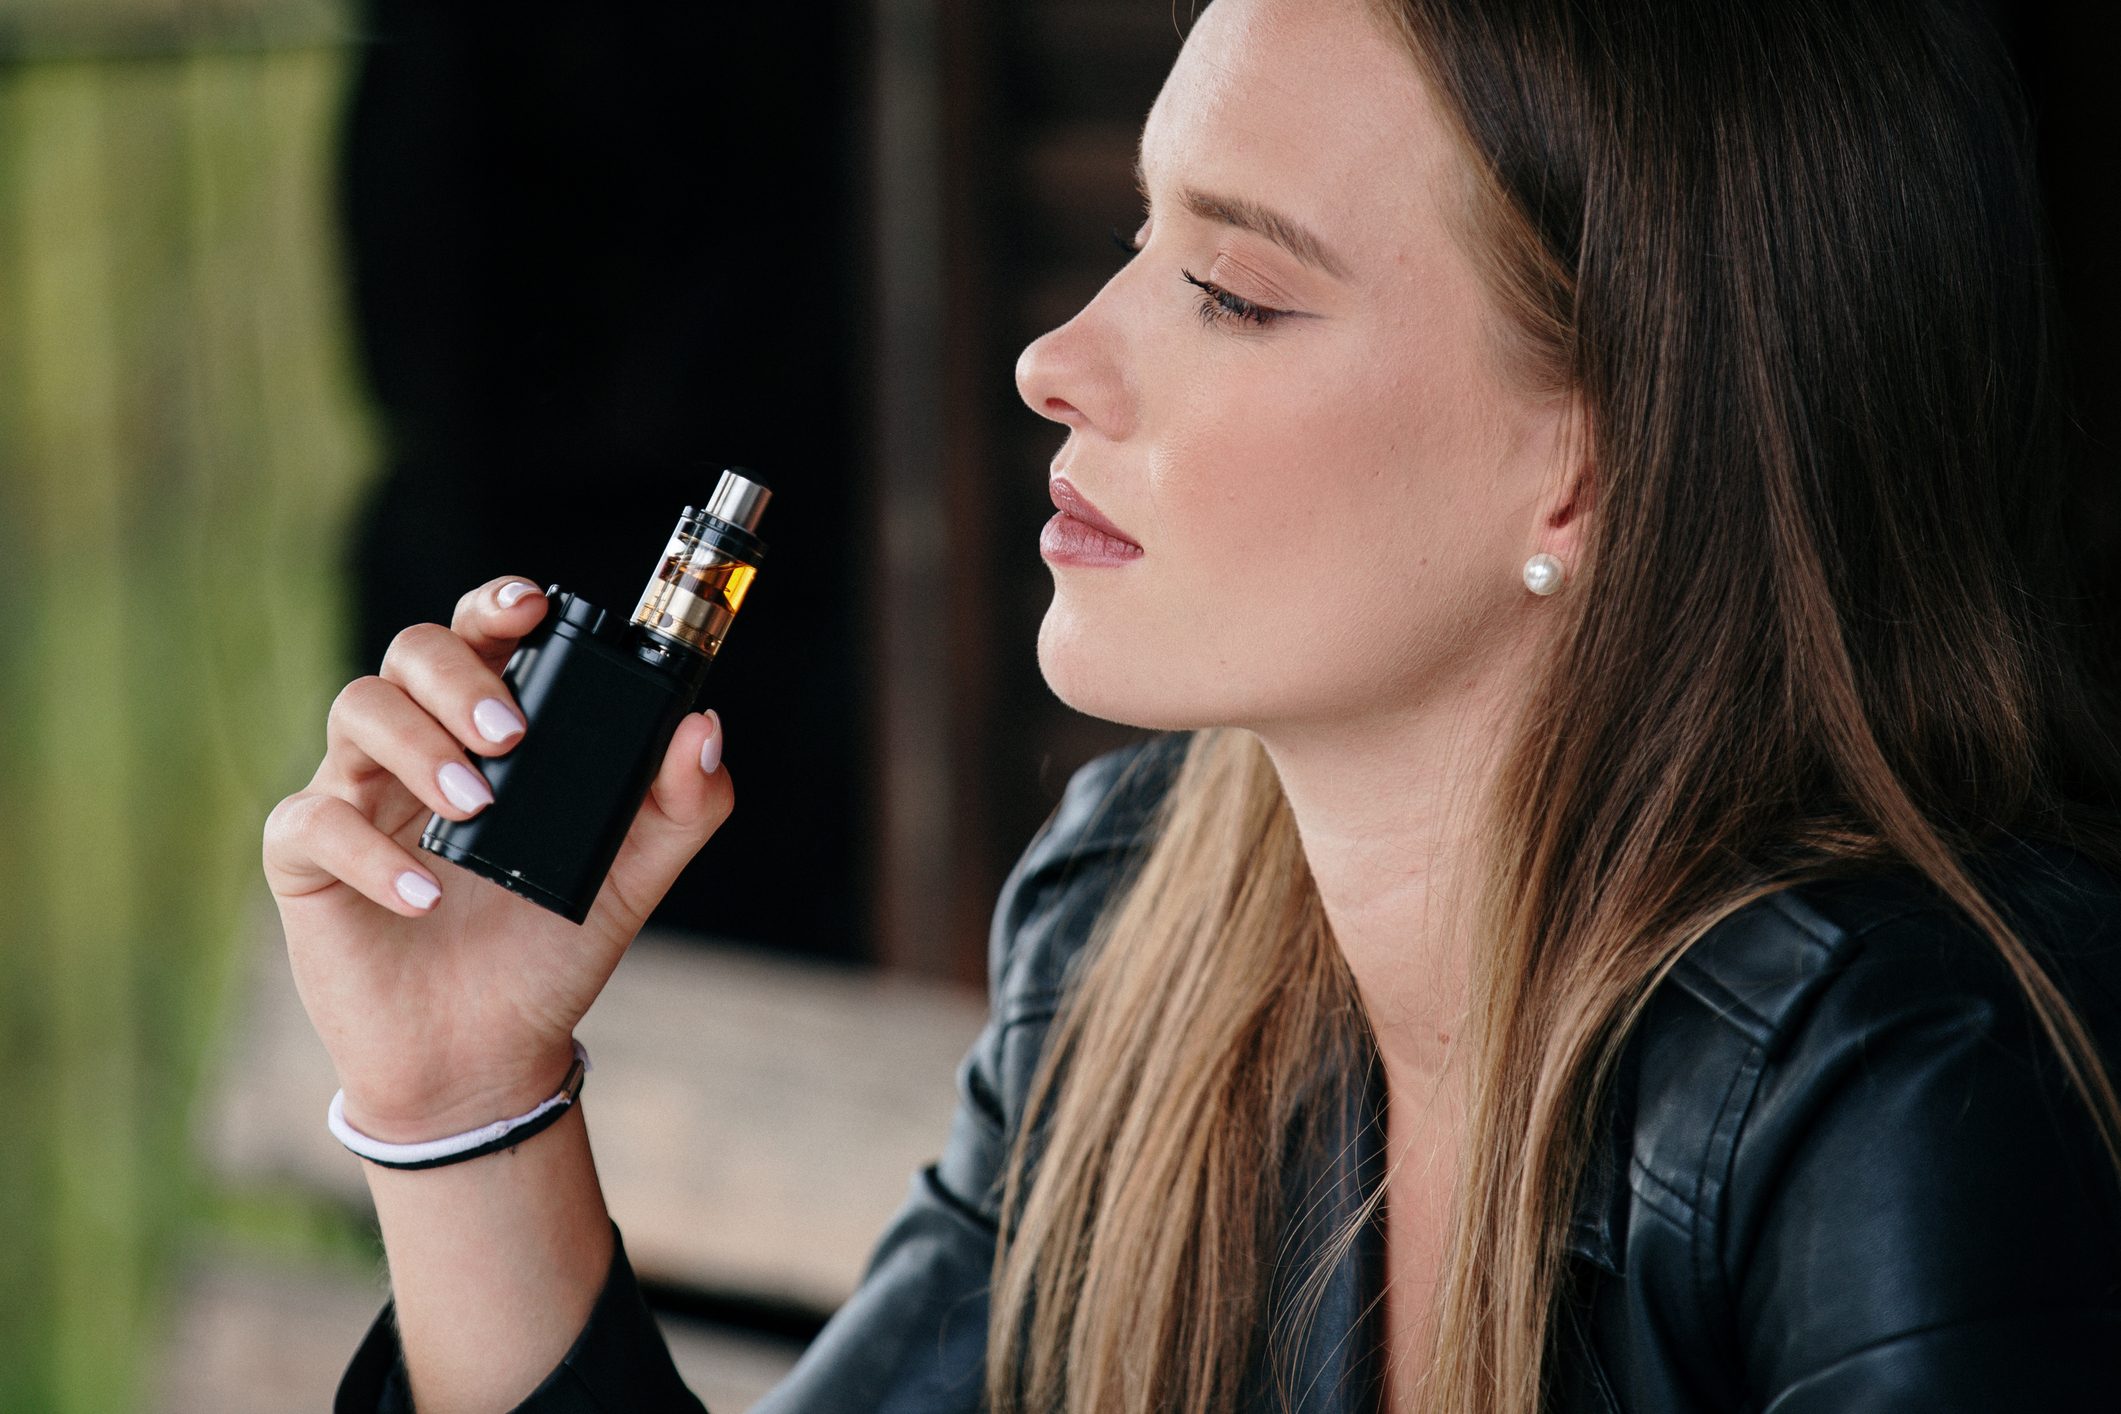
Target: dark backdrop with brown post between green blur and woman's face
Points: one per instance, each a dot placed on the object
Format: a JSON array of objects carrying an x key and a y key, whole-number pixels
[{"x": 597, "y": 255}]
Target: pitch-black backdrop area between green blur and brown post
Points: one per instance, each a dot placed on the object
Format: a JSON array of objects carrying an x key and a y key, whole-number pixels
[{"x": 595, "y": 255}]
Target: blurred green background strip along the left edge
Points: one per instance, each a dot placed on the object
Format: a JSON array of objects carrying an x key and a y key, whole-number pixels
[{"x": 179, "y": 450}]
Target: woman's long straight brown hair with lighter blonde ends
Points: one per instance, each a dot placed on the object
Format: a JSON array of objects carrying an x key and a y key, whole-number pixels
[{"x": 1789, "y": 255}]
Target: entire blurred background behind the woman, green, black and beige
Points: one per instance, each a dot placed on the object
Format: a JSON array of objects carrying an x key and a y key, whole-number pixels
[{"x": 317, "y": 315}]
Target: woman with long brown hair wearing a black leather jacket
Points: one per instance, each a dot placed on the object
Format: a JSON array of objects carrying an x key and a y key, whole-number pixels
[{"x": 1622, "y": 913}]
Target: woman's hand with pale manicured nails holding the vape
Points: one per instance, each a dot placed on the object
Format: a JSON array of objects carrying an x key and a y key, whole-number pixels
[{"x": 453, "y": 1014}]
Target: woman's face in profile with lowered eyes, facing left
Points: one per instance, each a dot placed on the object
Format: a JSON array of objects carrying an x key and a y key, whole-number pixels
[{"x": 1333, "y": 506}]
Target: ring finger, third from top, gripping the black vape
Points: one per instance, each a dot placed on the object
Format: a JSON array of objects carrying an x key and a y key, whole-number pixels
[{"x": 376, "y": 735}]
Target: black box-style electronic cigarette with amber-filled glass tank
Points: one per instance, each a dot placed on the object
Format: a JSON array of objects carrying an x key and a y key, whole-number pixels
[{"x": 601, "y": 699}]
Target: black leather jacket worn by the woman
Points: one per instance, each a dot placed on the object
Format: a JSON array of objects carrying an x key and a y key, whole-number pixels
[{"x": 1840, "y": 1171}]
